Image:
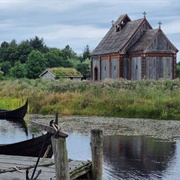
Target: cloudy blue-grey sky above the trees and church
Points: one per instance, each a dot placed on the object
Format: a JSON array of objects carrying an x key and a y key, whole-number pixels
[{"x": 79, "y": 23}]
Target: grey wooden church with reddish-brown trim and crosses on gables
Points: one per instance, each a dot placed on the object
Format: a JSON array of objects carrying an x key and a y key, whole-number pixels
[{"x": 133, "y": 50}]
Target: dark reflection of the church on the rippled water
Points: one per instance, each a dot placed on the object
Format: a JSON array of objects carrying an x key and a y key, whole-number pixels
[{"x": 137, "y": 157}]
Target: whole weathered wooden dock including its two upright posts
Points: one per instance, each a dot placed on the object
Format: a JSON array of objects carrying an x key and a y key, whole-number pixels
[{"x": 57, "y": 168}]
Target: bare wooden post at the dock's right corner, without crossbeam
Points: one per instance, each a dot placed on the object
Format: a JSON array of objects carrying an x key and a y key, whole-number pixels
[{"x": 97, "y": 153}]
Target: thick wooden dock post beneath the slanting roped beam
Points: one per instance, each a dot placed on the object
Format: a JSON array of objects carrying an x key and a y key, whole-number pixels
[{"x": 60, "y": 158}]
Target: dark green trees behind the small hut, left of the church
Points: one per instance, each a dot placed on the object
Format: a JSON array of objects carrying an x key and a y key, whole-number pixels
[{"x": 30, "y": 58}]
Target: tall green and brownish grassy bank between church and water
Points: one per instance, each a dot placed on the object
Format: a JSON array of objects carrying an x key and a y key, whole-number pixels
[{"x": 144, "y": 99}]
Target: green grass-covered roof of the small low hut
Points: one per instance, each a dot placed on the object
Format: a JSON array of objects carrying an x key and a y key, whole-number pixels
[{"x": 61, "y": 71}]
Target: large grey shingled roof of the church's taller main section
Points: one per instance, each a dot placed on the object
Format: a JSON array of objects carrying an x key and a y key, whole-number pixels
[{"x": 116, "y": 39}]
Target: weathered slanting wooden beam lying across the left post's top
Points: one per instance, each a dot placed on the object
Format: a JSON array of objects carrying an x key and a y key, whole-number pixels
[{"x": 49, "y": 129}]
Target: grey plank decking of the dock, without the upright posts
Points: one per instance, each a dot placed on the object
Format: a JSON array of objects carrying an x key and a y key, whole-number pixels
[{"x": 14, "y": 168}]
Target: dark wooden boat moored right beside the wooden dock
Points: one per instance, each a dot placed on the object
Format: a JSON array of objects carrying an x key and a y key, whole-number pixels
[{"x": 35, "y": 147}]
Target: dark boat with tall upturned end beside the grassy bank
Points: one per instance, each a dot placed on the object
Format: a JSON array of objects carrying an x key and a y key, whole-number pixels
[{"x": 14, "y": 114}]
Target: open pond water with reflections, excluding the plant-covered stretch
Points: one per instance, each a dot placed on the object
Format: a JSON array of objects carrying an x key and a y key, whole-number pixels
[{"x": 124, "y": 157}]
